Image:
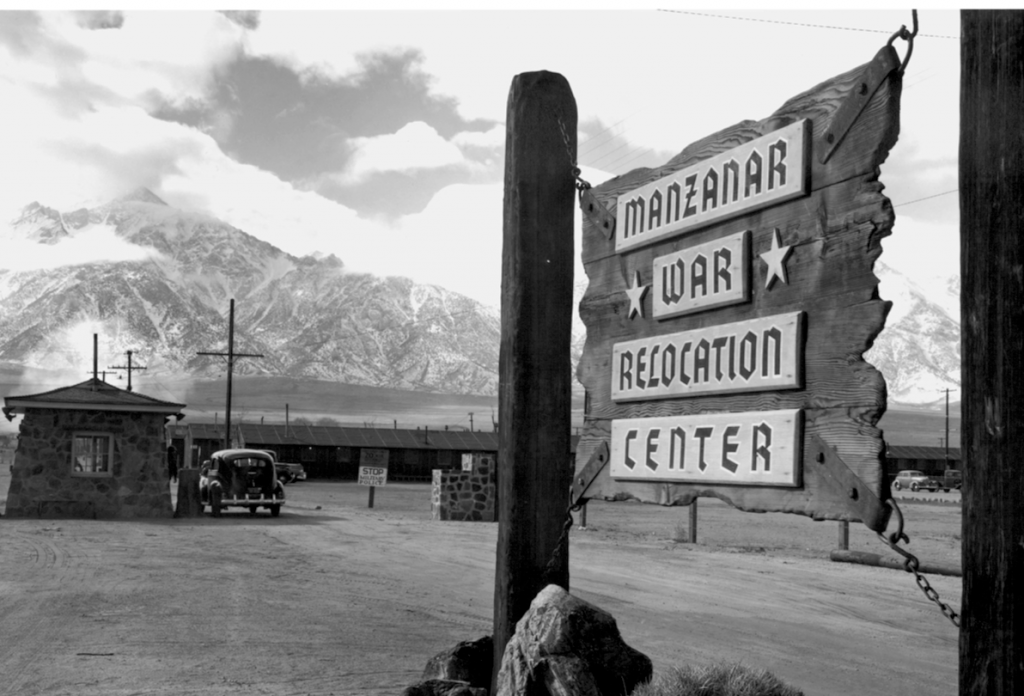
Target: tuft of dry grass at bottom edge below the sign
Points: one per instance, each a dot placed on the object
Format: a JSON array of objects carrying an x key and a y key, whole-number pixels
[{"x": 716, "y": 680}]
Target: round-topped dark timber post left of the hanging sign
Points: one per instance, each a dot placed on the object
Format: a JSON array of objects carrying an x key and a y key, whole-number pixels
[{"x": 537, "y": 306}]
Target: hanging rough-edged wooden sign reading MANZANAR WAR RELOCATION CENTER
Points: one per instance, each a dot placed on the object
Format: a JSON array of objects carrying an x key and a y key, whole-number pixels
[{"x": 730, "y": 310}]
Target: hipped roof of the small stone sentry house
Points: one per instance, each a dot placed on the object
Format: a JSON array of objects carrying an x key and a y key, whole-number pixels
[{"x": 94, "y": 395}]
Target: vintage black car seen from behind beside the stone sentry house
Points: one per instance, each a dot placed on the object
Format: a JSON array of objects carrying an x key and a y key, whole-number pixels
[{"x": 243, "y": 478}]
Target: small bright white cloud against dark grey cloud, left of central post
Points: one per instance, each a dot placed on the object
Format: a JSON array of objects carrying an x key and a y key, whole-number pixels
[{"x": 415, "y": 147}]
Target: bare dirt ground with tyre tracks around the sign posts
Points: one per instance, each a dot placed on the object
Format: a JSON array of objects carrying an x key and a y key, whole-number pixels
[{"x": 335, "y": 598}]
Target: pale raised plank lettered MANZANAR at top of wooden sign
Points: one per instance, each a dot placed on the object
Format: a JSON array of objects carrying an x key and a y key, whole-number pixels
[{"x": 762, "y": 172}]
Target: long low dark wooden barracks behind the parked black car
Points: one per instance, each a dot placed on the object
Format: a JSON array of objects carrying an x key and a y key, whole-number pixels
[{"x": 333, "y": 452}]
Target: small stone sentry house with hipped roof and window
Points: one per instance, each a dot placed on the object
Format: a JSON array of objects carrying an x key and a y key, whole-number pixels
[{"x": 91, "y": 451}]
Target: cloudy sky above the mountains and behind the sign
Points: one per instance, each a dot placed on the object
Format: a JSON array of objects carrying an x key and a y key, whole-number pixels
[{"x": 379, "y": 137}]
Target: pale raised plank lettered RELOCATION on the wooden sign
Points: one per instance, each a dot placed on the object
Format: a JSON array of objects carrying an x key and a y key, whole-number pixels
[{"x": 745, "y": 357}]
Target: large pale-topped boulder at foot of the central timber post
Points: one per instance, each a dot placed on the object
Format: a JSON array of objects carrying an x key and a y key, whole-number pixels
[{"x": 564, "y": 646}]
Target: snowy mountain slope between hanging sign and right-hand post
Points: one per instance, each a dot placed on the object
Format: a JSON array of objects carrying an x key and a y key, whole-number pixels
[{"x": 920, "y": 350}]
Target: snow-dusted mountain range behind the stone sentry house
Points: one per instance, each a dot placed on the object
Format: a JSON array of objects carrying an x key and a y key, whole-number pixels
[{"x": 309, "y": 317}]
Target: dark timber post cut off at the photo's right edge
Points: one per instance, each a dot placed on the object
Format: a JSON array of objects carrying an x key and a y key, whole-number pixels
[{"x": 992, "y": 193}]
